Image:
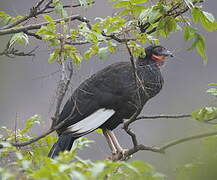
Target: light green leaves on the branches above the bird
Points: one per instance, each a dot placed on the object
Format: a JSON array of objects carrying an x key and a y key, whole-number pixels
[{"x": 135, "y": 21}]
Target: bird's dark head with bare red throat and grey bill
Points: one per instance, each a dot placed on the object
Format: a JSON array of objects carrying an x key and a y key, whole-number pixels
[{"x": 157, "y": 54}]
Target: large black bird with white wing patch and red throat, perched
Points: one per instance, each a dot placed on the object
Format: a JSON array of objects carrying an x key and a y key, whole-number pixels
[{"x": 109, "y": 97}]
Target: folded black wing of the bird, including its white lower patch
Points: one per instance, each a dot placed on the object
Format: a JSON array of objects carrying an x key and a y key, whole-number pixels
[{"x": 92, "y": 103}]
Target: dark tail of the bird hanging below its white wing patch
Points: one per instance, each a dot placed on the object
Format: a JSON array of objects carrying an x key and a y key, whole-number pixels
[{"x": 64, "y": 143}]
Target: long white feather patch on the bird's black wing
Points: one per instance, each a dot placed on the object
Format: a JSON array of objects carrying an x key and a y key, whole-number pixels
[{"x": 91, "y": 122}]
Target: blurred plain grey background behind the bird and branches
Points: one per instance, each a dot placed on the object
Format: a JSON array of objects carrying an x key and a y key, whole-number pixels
[{"x": 28, "y": 86}]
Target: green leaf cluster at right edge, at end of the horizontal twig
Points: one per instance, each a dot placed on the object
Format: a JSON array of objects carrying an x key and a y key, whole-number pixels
[{"x": 205, "y": 114}]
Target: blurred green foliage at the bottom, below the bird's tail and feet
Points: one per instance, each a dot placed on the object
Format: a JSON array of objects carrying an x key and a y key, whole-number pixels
[{"x": 32, "y": 162}]
